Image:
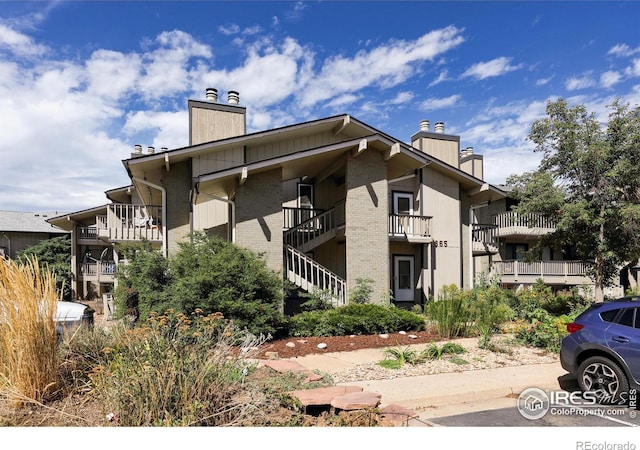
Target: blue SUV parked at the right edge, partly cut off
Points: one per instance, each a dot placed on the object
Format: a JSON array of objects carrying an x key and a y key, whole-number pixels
[{"x": 602, "y": 349}]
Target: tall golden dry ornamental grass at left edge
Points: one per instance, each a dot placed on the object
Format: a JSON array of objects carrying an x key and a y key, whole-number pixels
[{"x": 28, "y": 341}]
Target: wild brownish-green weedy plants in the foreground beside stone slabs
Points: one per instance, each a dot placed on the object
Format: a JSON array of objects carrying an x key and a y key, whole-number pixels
[{"x": 179, "y": 370}]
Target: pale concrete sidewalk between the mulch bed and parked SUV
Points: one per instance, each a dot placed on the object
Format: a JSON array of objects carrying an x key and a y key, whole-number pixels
[{"x": 443, "y": 394}]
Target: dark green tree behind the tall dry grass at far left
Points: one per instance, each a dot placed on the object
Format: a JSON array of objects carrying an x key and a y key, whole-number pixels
[{"x": 55, "y": 253}]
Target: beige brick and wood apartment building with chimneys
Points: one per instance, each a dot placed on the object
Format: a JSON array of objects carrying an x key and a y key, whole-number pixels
[{"x": 328, "y": 202}]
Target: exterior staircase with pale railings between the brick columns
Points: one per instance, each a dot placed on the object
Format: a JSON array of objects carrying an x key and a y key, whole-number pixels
[{"x": 304, "y": 271}]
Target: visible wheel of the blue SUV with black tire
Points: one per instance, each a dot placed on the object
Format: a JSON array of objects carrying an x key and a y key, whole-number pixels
[{"x": 603, "y": 377}]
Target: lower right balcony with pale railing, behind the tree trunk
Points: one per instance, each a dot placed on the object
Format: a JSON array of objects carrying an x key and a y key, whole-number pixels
[{"x": 552, "y": 272}]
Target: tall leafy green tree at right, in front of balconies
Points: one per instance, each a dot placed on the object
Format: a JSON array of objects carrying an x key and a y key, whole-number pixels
[{"x": 588, "y": 183}]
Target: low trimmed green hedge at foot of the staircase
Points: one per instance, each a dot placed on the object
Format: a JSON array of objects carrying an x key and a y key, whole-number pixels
[{"x": 355, "y": 319}]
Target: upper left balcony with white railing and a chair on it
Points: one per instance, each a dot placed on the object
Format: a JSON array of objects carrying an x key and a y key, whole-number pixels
[{"x": 130, "y": 223}]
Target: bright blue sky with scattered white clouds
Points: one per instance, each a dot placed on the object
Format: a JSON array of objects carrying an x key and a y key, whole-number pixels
[{"x": 82, "y": 82}]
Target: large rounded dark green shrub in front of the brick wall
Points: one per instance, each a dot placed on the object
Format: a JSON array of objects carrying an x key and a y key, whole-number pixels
[{"x": 207, "y": 274}]
